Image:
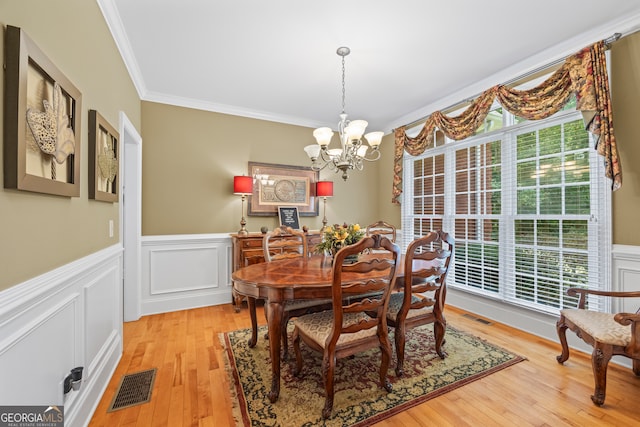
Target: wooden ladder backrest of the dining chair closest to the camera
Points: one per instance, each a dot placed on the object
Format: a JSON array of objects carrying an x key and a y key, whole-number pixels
[{"x": 364, "y": 286}]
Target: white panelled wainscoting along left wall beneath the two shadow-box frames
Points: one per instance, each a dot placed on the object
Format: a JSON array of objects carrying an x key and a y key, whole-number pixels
[{"x": 68, "y": 317}]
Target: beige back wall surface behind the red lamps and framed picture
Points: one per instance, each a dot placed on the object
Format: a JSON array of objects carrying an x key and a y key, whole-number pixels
[{"x": 191, "y": 156}]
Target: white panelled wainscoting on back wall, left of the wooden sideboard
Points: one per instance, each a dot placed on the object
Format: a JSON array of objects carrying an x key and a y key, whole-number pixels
[{"x": 185, "y": 271}]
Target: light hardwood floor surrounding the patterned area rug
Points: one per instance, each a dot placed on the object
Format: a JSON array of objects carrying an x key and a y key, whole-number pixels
[{"x": 191, "y": 387}]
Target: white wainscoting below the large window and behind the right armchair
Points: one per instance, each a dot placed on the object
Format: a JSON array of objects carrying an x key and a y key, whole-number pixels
[{"x": 625, "y": 267}]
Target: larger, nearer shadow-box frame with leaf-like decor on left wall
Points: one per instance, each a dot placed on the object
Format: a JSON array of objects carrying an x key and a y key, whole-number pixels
[{"x": 42, "y": 139}]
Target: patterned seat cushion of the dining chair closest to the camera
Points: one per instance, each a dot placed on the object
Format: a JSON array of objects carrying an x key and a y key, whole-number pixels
[{"x": 318, "y": 326}]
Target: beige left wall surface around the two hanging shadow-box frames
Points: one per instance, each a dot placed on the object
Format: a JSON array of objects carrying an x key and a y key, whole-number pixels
[{"x": 39, "y": 232}]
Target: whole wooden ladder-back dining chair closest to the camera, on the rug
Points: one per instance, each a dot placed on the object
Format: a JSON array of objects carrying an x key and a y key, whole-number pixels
[{"x": 347, "y": 328}]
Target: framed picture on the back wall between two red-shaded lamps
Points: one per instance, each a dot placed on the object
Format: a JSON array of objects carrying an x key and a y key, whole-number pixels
[{"x": 276, "y": 185}]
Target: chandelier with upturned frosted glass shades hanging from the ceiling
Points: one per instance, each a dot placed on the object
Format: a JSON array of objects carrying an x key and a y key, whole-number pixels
[{"x": 352, "y": 152}]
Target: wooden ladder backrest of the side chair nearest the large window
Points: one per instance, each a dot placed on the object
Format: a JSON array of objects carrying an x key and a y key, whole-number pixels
[{"x": 426, "y": 266}]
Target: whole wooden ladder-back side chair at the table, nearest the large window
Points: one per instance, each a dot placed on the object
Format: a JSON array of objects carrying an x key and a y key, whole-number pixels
[{"x": 422, "y": 298}]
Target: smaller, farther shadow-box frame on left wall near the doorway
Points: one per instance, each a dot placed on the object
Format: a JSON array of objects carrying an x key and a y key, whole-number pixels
[{"x": 104, "y": 159}]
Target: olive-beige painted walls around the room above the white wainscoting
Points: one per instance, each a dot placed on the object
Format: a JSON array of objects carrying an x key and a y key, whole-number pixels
[{"x": 190, "y": 156}]
